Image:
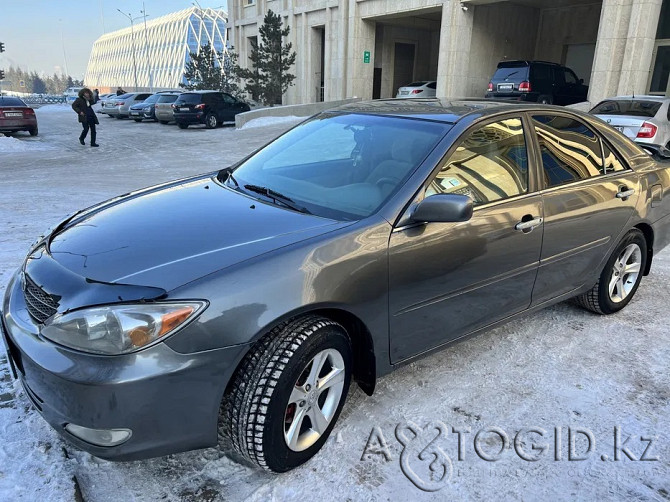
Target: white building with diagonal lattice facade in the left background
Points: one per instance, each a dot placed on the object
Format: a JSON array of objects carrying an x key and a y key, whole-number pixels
[{"x": 153, "y": 56}]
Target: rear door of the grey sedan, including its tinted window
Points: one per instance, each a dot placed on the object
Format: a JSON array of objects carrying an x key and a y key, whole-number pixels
[{"x": 585, "y": 208}]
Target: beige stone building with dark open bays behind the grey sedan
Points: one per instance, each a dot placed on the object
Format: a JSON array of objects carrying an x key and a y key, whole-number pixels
[{"x": 368, "y": 48}]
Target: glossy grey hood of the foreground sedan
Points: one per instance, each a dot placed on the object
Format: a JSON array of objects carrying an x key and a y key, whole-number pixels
[{"x": 171, "y": 235}]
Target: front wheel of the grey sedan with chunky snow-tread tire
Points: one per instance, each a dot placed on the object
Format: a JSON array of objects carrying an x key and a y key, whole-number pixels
[{"x": 286, "y": 395}]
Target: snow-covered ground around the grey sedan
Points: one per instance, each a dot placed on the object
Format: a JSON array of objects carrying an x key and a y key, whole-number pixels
[{"x": 561, "y": 368}]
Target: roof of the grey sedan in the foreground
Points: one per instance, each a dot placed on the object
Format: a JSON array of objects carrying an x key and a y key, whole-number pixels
[{"x": 439, "y": 109}]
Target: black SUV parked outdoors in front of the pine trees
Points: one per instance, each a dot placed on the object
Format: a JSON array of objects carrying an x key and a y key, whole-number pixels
[{"x": 211, "y": 108}]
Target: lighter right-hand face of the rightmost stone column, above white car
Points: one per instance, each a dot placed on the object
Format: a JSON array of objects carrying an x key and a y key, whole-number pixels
[{"x": 639, "y": 50}]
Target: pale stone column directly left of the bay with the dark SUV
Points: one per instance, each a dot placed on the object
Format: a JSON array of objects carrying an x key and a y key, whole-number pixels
[{"x": 455, "y": 45}]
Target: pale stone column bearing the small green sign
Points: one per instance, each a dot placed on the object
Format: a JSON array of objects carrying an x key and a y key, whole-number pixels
[{"x": 359, "y": 75}]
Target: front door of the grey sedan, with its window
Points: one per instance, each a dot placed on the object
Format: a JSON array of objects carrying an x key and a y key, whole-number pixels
[{"x": 448, "y": 279}]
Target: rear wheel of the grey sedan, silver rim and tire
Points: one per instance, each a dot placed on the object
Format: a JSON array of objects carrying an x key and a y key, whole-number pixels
[{"x": 620, "y": 277}]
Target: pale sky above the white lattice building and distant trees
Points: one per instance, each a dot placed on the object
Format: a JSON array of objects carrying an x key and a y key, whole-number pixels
[{"x": 31, "y": 29}]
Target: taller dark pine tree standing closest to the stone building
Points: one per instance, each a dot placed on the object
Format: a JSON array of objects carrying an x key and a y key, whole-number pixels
[{"x": 268, "y": 78}]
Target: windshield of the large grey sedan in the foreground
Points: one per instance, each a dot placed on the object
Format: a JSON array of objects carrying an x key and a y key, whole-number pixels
[{"x": 339, "y": 166}]
